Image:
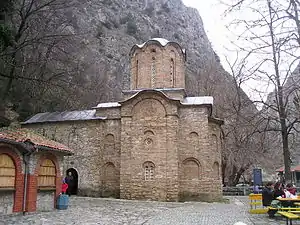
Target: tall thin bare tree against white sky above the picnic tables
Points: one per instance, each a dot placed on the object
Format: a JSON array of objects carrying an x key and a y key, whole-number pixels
[{"x": 270, "y": 43}]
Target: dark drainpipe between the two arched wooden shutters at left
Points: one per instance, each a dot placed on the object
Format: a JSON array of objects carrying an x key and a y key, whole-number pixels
[{"x": 30, "y": 149}]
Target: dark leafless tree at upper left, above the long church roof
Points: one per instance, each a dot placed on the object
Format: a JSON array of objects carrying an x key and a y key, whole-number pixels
[{"x": 39, "y": 67}]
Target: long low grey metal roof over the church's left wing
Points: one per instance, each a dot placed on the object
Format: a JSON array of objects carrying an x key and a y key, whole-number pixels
[{"x": 64, "y": 116}]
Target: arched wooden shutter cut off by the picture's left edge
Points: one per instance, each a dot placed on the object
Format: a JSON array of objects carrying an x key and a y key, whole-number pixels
[{"x": 7, "y": 172}]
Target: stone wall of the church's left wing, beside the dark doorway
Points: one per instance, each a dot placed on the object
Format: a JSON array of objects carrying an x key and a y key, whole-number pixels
[{"x": 96, "y": 146}]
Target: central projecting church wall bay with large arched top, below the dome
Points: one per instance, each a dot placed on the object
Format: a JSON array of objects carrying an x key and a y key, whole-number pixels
[{"x": 149, "y": 137}]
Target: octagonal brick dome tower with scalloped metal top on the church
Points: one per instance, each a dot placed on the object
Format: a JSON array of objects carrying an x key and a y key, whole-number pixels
[{"x": 157, "y": 64}]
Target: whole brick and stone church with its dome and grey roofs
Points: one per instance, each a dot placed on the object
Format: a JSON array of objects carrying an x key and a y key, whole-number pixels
[{"x": 155, "y": 144}]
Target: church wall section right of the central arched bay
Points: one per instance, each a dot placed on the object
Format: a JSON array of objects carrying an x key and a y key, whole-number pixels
[{"x": 197, "y": 157}]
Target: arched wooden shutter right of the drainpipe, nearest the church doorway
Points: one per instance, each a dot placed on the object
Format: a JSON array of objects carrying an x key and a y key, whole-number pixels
[{"x": 47, "y": 174}]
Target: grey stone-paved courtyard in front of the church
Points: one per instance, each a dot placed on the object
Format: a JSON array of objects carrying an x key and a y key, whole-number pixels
[{"x": 92, "y": 211}]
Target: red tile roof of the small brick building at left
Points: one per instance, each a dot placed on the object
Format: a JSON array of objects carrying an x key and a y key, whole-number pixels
[{"x": 22, "y": 135}]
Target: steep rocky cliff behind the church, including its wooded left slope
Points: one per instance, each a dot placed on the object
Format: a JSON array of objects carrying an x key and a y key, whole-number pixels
[{"x": 102, "y": 33}]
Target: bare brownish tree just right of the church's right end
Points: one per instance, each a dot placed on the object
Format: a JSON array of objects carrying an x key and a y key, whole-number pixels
[{"x": 240, "y": 132}]
